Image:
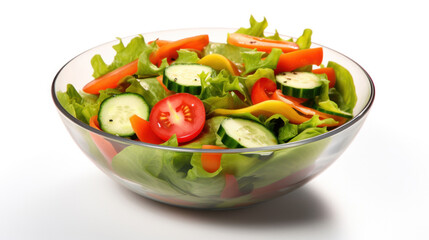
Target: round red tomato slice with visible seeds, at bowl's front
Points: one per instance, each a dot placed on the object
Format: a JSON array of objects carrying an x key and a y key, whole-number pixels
[{"x": 182, "y": 114}]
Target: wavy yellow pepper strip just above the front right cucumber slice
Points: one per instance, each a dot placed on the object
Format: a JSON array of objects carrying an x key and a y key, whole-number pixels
[{"x": 266, "y": 108}]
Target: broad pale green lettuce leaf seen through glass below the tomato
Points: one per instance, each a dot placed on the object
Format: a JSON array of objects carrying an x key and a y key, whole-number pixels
[{"x": 166, "y": 172}]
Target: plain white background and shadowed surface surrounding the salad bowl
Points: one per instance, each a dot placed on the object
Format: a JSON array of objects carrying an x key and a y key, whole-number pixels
[{"x": 378, "y": 189}]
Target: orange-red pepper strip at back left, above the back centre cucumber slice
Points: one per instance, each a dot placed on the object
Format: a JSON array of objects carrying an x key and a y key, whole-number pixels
[{"x": 169, "y": 50}]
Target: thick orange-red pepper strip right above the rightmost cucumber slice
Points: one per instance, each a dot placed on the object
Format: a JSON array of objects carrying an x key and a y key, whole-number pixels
[{"x": 293, "y": 60}]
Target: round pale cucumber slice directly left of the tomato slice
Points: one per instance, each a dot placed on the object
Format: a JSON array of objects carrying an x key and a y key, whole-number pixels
[{"x": 115, "y": 112}]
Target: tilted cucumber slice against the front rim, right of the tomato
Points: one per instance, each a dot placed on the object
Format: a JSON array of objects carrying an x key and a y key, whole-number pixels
[{"x": 243, "y": 133}]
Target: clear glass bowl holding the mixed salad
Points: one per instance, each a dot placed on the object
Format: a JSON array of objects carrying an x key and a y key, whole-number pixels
[{"x": 248, "y": 176}]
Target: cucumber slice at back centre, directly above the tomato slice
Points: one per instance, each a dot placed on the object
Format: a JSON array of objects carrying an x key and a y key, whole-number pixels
[{"x": 184, "y": 78}]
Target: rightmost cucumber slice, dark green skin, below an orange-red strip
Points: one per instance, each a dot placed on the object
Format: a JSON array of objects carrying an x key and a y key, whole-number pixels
[{"x": 299, "y": 84}]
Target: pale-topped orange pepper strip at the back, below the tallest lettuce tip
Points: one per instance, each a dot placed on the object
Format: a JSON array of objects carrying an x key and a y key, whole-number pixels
[{"x": 261, "y": 44}]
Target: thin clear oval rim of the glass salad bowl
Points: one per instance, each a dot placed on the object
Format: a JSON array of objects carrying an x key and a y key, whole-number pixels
[{"x": 330, "y": 133}]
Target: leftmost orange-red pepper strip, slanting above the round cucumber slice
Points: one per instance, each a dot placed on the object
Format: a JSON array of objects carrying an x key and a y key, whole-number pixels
[{"x": 111, "y": 79}]
